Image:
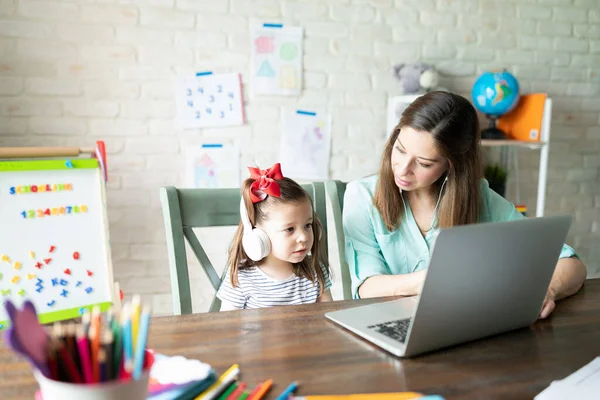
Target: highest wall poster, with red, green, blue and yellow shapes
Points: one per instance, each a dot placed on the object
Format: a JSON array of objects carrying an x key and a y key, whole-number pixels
[{"x": 277, "y": 60}]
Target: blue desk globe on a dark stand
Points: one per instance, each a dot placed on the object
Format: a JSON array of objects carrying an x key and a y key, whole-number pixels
[{"x": 495, "y": 93}]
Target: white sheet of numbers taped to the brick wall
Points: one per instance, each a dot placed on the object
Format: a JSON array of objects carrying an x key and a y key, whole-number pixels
[{"x": 209, "y": 100}]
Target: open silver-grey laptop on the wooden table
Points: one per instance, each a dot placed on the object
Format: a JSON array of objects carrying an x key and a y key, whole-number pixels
[{"x": 483, "y": 279}]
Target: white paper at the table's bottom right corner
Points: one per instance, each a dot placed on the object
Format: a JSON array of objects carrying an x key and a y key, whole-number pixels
[{"x": 583, "y": 384}]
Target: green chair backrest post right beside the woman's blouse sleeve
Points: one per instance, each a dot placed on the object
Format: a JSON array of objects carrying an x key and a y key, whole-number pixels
[{"x": 335, "y": 192}]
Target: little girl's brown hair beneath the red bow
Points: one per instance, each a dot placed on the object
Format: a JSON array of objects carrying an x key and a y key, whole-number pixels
[{"x": 291, "y": 193}]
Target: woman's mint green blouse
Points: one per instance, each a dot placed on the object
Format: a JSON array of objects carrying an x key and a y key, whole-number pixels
[{"x": 372, "y": 250}]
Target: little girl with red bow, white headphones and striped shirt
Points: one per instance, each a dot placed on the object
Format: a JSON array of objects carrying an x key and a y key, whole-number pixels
[{"x": 274, "y": 258}]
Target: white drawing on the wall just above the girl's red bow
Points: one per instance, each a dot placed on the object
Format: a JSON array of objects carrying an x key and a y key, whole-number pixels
[{"x": 305, "y": 145}]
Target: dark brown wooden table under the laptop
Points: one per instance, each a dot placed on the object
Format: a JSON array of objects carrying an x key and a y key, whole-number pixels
[{"x": 298, "y": 343}]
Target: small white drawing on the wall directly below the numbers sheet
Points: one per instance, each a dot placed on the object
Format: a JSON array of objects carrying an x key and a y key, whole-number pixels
[{"x": 212, "y": 165}]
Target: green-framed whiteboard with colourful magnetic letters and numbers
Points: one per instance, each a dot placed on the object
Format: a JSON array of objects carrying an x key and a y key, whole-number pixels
[{"x": 54, "y": 248}]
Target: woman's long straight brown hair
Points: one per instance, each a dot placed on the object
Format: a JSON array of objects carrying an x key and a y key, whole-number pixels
[{"x": 452, "y": 123}]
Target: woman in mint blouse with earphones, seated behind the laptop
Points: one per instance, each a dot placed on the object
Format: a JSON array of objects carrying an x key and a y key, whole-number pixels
[{"x": 430, "y": 178}]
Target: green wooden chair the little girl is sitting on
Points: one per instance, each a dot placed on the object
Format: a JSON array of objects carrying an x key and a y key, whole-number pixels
[{"x": 185, "y": 209}]
